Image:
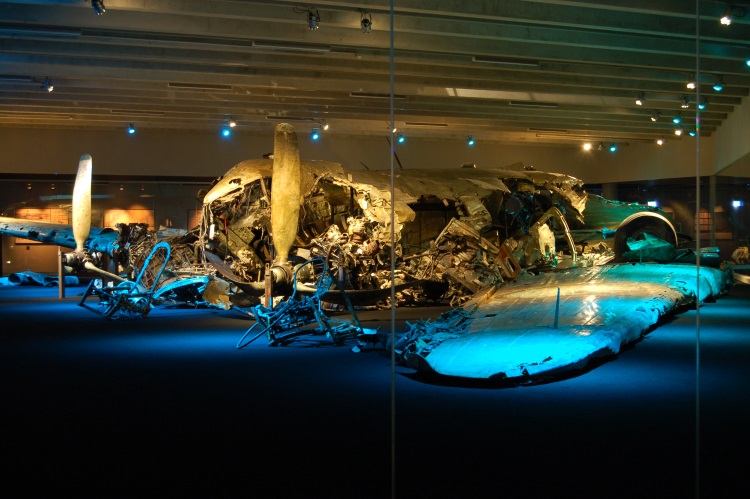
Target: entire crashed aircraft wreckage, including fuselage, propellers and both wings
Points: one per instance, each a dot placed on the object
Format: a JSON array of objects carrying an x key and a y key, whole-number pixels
[{"x": 493, "y": 242}]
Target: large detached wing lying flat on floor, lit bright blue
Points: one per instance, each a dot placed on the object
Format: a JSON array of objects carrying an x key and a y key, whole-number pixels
[{"x": 520, "y": 334}]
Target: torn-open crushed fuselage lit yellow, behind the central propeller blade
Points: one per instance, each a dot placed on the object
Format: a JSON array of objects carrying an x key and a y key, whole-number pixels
[{"x": 464, "y": 229}]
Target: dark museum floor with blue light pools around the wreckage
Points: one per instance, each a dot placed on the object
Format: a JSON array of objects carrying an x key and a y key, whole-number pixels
[{"x": 168, "y": 406}]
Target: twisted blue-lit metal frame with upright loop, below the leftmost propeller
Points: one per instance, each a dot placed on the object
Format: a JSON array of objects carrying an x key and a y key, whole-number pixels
[{"x": 129, "y": 298}]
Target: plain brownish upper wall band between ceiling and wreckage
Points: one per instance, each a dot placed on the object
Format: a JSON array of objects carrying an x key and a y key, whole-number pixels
[{"x": 156, "y": 152}]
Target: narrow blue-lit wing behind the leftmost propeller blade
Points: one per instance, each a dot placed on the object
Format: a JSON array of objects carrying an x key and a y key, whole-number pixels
[{"x": 56, "y": 234}]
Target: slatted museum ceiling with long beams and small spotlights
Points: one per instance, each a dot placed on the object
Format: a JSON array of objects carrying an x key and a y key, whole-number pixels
[{"x": 544, "y": 71}]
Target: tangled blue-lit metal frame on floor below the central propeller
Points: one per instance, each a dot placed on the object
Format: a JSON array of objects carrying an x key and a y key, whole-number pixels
[{"x": 290, "y": 317}]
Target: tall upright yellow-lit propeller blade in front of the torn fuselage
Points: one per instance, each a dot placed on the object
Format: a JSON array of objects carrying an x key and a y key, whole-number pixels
[{"x": 285, "y": 190}]
